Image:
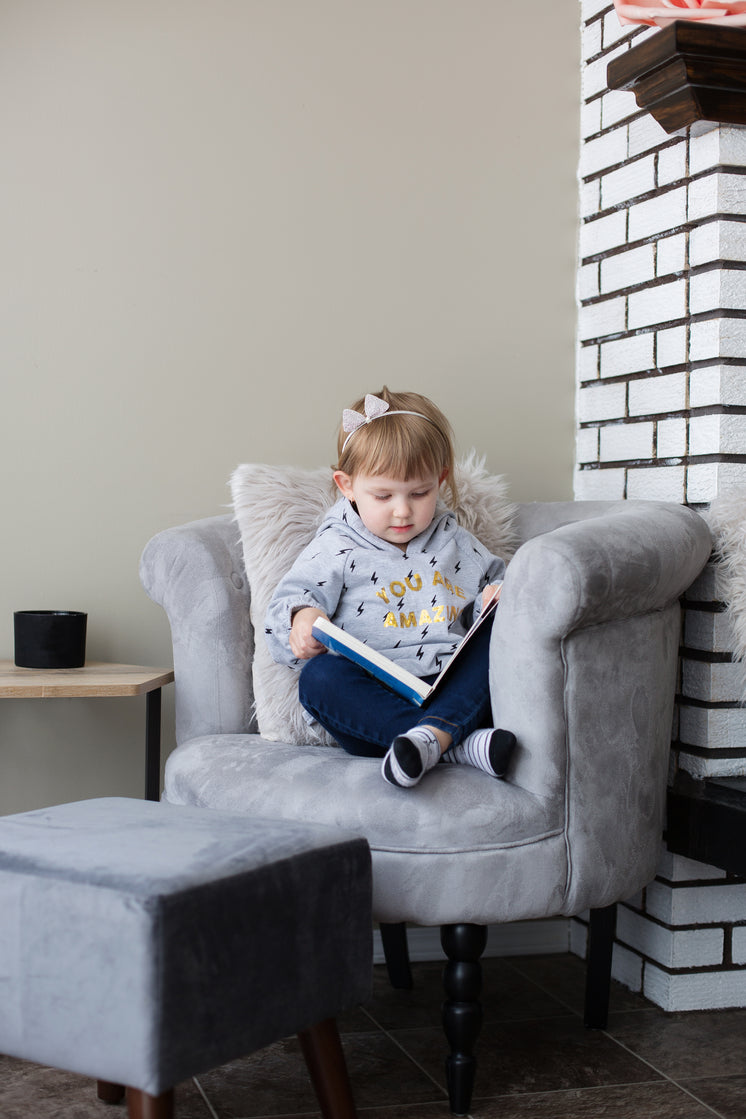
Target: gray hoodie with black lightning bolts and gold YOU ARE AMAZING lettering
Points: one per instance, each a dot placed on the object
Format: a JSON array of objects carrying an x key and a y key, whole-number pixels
[{"x": 402, "y": 604}]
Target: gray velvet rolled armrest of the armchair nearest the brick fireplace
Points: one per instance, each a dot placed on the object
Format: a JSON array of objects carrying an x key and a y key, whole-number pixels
[{"x": 583, "y": 669}]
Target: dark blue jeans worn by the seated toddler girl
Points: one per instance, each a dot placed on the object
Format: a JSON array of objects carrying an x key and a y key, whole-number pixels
[{"x": 365, "y": 717}]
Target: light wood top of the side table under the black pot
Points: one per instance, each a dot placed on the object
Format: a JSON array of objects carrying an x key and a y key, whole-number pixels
[{"x": 96, "y": 679}]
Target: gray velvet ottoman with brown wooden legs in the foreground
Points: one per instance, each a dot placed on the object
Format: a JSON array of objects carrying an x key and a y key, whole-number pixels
[{"x": 144, "y": 944}]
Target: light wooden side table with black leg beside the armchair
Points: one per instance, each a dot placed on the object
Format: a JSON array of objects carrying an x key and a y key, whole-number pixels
[{"x": 98, "y": 680}]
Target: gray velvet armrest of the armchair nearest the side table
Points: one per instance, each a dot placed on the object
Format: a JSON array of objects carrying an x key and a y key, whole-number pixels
[{"x": 196, "y": 572}]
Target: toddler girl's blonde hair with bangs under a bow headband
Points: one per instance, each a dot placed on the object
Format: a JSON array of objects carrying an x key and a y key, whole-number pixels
[{"x": 401, "y": 446}]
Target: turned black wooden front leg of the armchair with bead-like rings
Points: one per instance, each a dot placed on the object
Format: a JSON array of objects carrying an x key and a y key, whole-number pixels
[{"x": 462, "y": 1012}]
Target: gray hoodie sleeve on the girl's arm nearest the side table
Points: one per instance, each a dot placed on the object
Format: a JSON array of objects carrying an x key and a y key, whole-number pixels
[{"x": 315, "y": 580}]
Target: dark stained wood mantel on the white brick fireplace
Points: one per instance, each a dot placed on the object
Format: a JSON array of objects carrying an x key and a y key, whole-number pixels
[{"x": 685, "y": 73}]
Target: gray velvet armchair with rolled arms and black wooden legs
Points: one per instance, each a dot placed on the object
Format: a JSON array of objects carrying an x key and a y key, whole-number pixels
[{"x": 584, "y": 660}]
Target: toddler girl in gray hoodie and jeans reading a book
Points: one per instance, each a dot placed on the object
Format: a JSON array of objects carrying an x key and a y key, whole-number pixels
[{"x": 392, "y": 566}]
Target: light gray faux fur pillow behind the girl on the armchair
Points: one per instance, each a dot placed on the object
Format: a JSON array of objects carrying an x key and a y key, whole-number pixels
[{"x": 278, "y": 511}]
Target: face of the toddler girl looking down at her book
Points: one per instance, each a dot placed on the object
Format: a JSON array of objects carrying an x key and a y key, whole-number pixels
[{"x": 390, "y": 509}]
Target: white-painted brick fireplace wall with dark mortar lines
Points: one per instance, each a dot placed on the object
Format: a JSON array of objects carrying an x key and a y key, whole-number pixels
[{"x": 662, "y": 413}]
